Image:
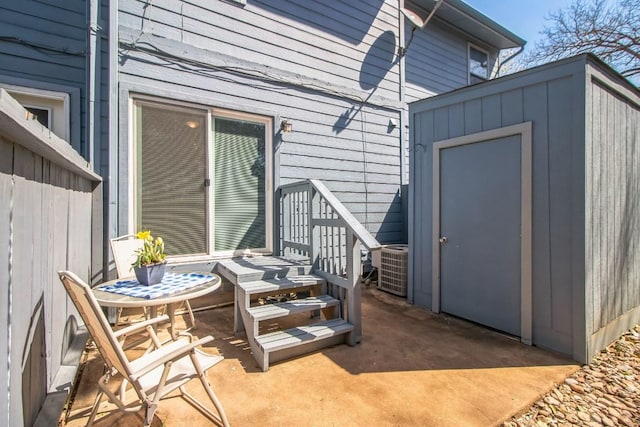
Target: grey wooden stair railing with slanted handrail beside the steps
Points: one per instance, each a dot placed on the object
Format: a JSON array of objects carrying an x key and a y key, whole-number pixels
[{"x": 314, "y": 224}]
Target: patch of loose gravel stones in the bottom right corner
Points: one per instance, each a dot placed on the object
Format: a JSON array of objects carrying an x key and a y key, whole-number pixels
[{"x": 606, "y": 392}]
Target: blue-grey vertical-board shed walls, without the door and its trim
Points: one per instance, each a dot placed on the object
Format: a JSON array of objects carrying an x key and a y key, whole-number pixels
[{"x": 586, "y": 216}]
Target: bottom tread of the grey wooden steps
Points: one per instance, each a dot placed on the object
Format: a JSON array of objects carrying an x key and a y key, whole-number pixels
[{"x": 303, "y": 335}]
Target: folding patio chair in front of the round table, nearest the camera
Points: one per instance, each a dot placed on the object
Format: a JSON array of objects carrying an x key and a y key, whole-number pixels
[{"x": 152, "y": 376}]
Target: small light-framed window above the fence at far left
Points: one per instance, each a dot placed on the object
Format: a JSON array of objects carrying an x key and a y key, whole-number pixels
[{"x": 49, "y": 108}]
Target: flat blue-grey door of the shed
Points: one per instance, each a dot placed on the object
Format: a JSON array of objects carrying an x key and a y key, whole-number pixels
[{"x": 480, "y": 223}]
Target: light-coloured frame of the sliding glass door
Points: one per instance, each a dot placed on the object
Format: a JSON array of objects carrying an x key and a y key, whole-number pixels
[{"x": 136, "y": 99}]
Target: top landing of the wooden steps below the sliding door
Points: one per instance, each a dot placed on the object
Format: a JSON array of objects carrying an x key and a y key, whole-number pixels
[{"x": 250, "y": 269}]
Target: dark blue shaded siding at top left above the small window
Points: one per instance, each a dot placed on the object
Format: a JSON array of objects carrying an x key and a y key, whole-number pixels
[{"x": 62, "y": 26}]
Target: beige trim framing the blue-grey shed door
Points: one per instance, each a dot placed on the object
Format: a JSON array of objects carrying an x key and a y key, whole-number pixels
[{"x": 526, "y": 297}]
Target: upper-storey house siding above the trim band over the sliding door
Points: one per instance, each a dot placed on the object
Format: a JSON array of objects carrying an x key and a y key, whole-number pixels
[{"x": 278, "y": 36}]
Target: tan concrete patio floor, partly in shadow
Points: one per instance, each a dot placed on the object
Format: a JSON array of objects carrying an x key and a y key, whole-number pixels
[{"x": 412, "y": 367}]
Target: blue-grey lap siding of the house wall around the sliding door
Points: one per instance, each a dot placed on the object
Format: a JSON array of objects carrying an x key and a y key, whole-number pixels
[{"x": 330, "y": 67}]
